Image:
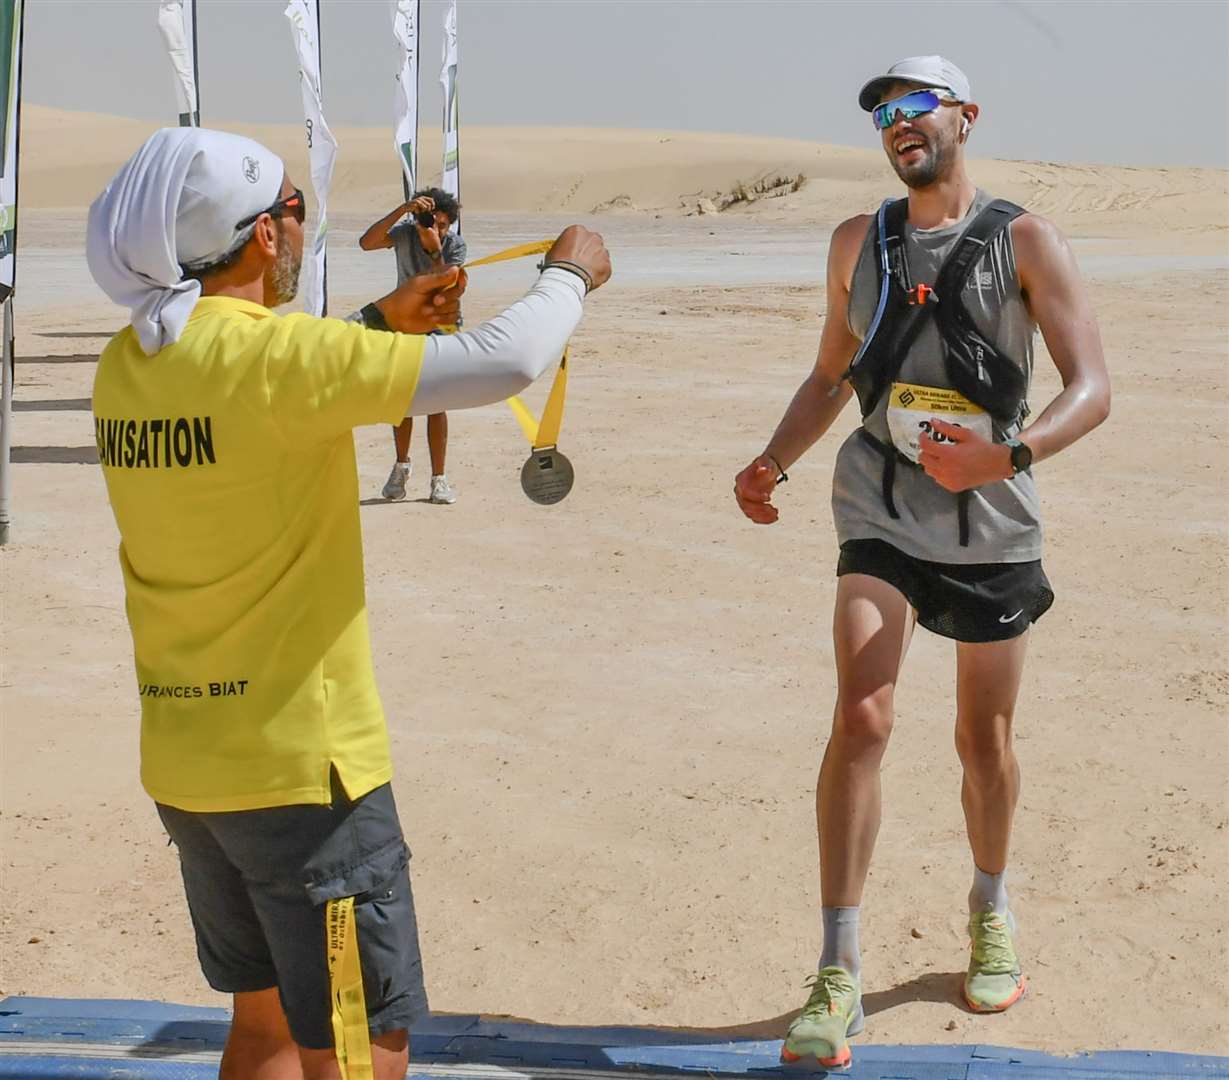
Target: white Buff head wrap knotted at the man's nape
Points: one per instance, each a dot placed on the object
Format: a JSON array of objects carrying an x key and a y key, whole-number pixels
[{"x": 174, "y": 205}]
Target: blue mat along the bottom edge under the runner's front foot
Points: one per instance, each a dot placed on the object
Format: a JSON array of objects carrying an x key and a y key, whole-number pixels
[{"x": 147, "y": 1040}]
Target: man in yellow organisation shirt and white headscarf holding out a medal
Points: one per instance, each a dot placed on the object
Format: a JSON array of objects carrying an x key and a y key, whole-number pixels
[{"x": 226, "y": 438}]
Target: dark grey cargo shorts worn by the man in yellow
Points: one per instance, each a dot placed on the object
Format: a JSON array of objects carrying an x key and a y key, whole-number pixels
[{"x": 259, "y": 883}]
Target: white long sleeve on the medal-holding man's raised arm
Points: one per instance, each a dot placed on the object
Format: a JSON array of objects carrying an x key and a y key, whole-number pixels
[{"x": 503, "y": 356}]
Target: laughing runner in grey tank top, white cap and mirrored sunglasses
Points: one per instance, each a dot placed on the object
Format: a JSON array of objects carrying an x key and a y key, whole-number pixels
[{"x": 922, "y": 453}]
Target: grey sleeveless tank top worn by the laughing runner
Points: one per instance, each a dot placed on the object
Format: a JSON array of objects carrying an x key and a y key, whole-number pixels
[{"x": 1005, "y": 519}]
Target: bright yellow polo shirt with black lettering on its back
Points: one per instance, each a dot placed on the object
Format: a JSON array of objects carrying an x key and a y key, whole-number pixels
[{"x": 230, "y": 466}]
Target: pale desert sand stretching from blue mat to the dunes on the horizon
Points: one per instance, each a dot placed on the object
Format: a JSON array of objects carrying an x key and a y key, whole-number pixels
[{"x": 608, "y": 716}]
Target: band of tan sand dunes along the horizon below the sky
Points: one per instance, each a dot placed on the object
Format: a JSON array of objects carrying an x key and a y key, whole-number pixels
[{"x": 67, "y": 159}]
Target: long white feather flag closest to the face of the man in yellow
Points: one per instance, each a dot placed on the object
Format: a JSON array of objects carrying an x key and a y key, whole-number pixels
[{"x": 304, "y": 18}]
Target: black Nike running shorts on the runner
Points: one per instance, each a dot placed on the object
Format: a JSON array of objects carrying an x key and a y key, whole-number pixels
[{"x": 972, "y": 603}]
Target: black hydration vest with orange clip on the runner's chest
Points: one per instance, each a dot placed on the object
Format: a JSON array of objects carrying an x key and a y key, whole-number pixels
[{"x": 974, "y": 366}]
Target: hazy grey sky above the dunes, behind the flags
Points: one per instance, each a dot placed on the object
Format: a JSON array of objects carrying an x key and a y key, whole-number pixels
[{"x": 1129, "y": 82}]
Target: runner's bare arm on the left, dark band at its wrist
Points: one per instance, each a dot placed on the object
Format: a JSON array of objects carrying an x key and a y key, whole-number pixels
[{"x": 823, "y": 395}]
